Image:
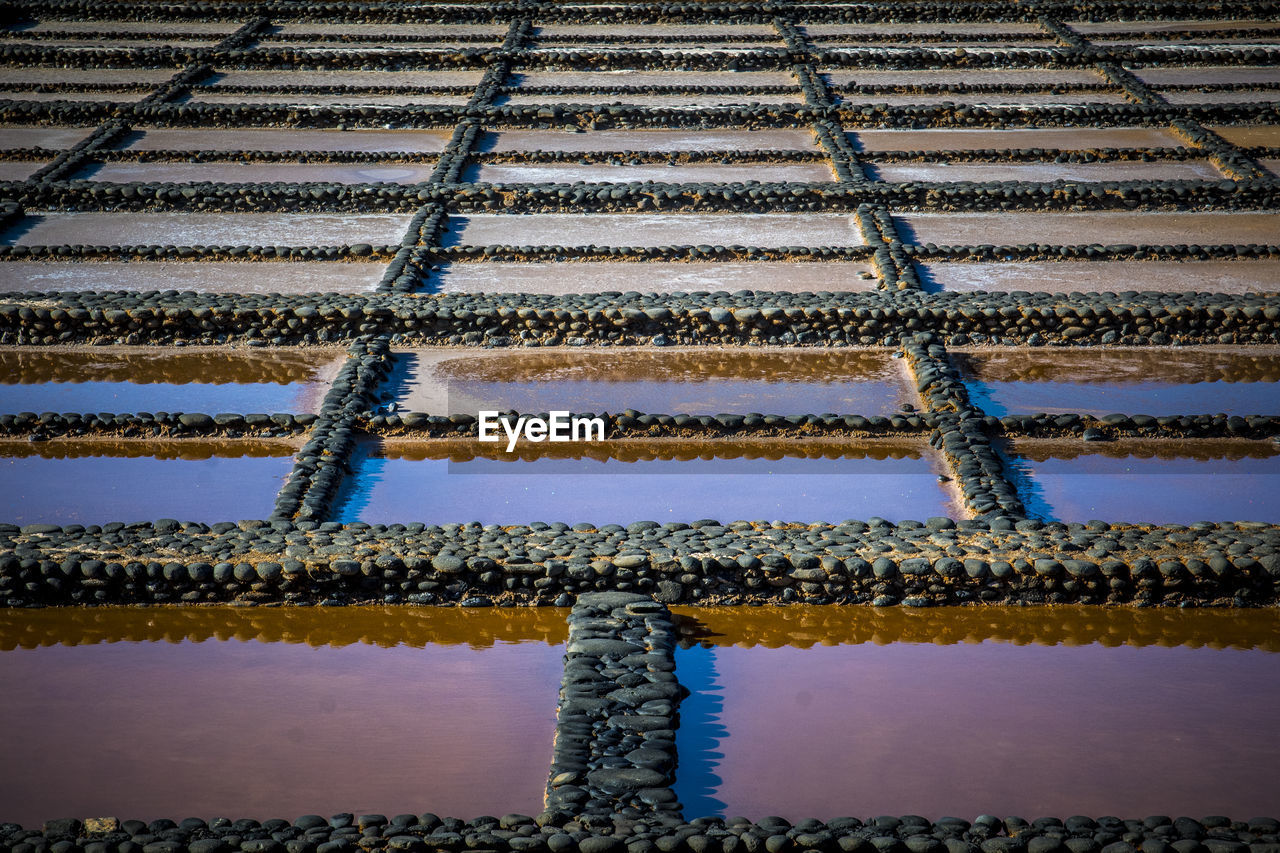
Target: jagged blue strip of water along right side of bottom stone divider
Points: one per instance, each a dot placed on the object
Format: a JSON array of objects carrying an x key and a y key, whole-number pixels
[{"x": 701, "y": 733}]
